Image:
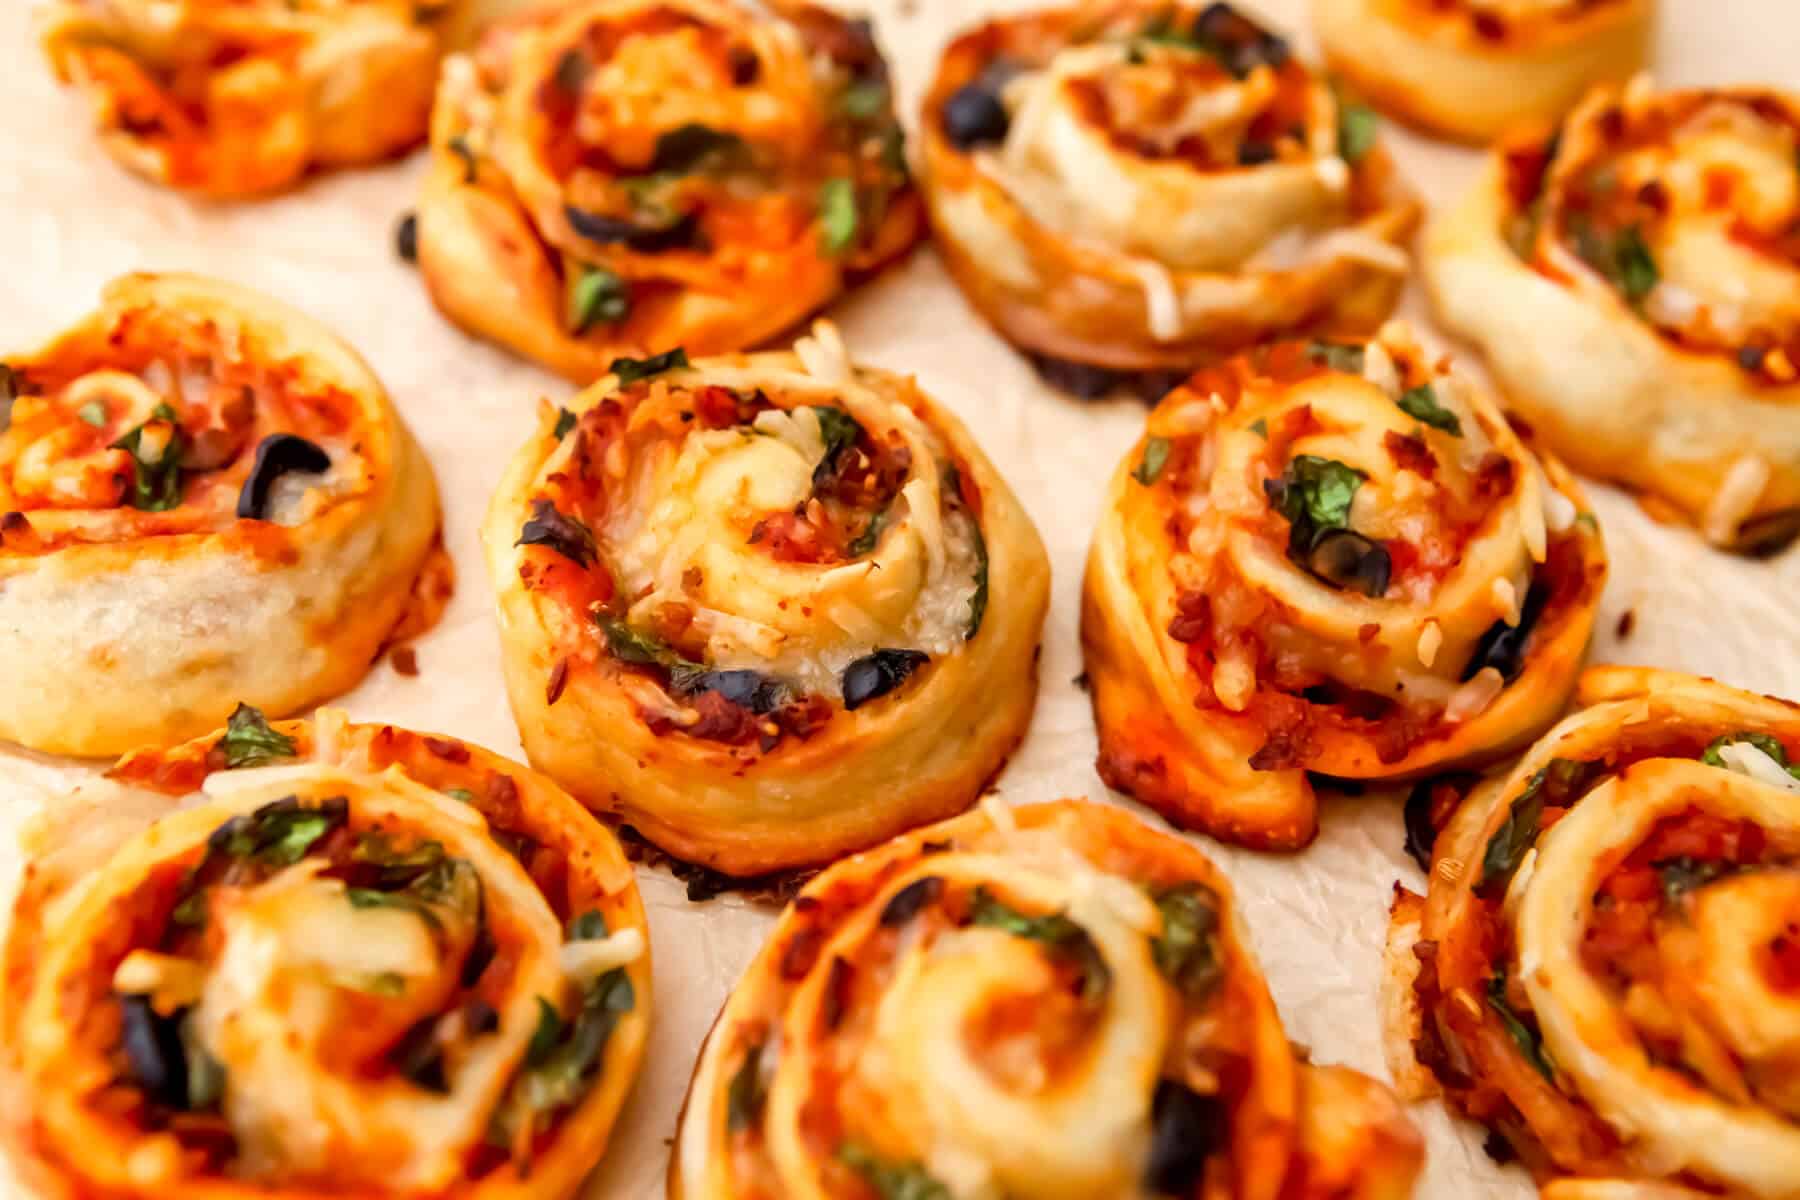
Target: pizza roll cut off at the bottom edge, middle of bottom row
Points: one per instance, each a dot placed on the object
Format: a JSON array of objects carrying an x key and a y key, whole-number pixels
[{"x": 1054, "y": 1001}]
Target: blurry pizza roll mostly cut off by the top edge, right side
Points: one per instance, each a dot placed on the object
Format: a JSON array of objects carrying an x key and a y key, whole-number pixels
[{"x": 1473, "y": 69}]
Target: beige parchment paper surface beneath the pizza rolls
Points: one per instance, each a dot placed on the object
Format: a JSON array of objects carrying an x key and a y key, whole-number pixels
[{"x": 71, "y": 220}]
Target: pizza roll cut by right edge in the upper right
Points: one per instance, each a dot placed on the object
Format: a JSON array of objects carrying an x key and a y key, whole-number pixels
[{"x": 1635, "y": 283}]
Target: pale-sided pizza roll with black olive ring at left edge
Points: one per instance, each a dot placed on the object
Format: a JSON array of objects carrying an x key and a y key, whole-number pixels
[{"x": 206, "y": 497}]
